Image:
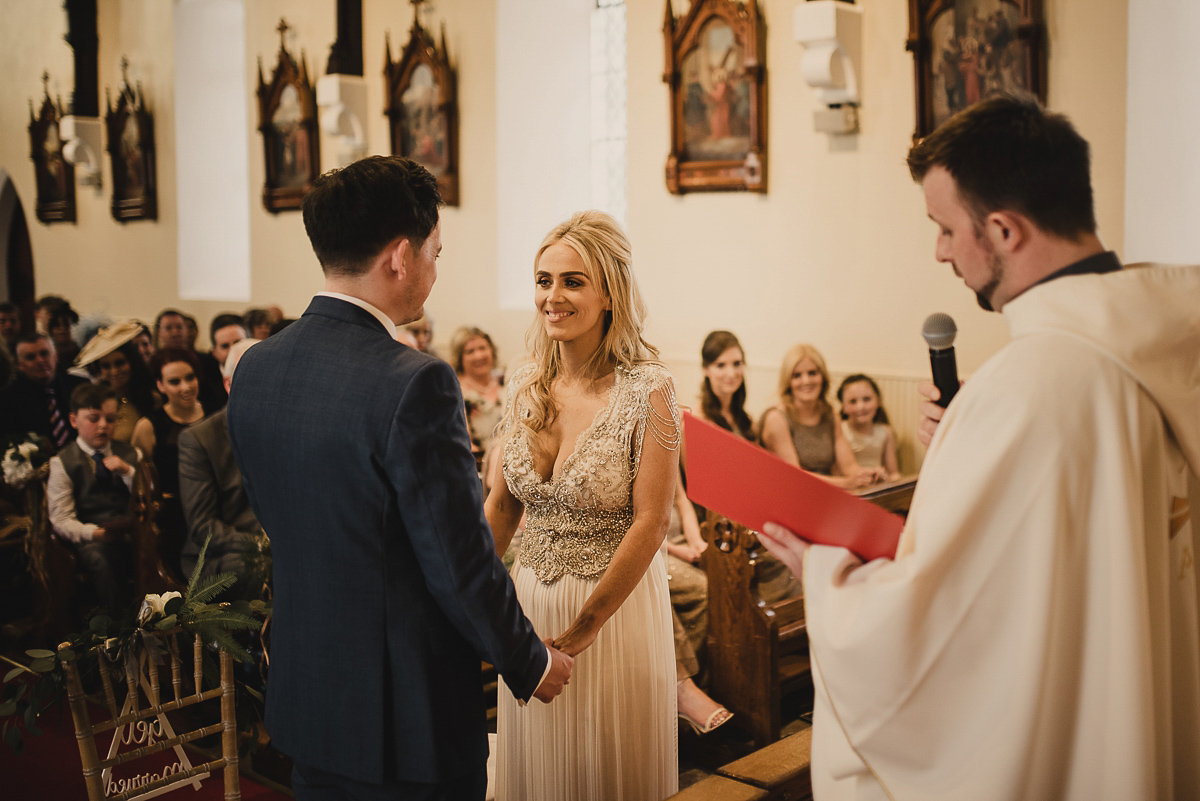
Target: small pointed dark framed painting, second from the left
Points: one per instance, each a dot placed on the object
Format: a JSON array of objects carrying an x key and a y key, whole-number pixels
[{"x": 130, "y": 129}]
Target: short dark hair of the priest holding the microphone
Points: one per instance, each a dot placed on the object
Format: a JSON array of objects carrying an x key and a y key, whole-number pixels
[{"x": 1010, "y": 154}]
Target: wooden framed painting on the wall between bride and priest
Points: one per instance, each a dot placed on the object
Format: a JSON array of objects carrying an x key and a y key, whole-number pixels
[{"x": 718, "y": 91}]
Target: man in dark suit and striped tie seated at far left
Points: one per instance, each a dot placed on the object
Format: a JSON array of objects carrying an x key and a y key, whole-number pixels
[{"x": 39, "y": 400}]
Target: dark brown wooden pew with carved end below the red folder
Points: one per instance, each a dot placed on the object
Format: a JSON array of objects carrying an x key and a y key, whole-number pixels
[{"x": 759, "y": 652}]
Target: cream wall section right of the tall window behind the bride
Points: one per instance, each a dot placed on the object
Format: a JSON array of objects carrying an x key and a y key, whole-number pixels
[{"x": 839, "y": 252}]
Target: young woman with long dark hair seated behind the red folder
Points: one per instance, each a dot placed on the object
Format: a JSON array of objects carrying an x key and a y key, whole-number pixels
[{"x": 723, "y": 396}]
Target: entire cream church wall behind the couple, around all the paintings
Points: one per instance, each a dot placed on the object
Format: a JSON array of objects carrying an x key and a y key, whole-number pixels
[{"x": 838, "y": 254}]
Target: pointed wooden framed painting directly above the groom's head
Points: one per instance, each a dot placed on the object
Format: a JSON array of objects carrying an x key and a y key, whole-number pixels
[{"x": 423, "y": 109}]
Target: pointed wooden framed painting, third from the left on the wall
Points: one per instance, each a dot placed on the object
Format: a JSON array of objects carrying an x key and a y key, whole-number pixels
[{"x": 287, "y": 119}]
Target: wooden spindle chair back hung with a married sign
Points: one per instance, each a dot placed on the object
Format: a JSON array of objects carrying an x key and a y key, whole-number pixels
[{"x": 130, "y": 724}]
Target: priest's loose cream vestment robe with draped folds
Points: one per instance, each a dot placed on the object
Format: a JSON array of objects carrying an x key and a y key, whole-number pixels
[{"x": 1036, "y": 636}]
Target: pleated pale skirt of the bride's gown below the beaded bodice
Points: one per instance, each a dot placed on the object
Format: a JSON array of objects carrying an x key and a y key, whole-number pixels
[{"x": 613, "y": 734}]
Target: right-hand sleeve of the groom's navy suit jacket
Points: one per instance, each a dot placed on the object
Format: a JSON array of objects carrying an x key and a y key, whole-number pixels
[{"x": 439, "y": 493}]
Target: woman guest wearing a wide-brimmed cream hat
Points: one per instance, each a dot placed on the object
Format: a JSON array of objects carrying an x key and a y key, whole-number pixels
[{"x": 112, "y": 358}]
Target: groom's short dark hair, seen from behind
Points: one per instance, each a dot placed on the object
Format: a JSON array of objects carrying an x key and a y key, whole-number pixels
[{"x": 353, "y": 213}]
